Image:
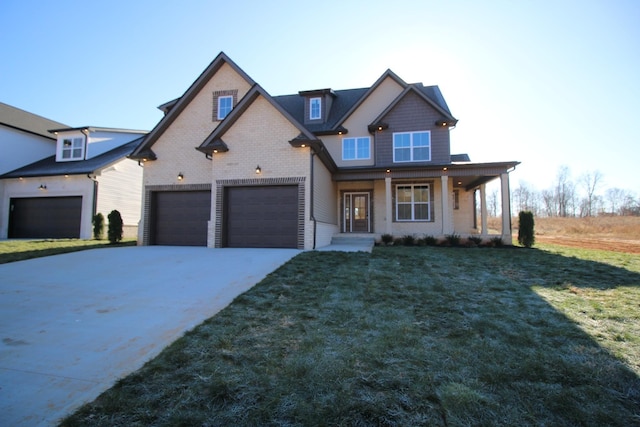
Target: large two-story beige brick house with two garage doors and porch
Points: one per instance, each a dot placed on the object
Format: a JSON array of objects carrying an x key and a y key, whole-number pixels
[{"x": 231, "y": 166}]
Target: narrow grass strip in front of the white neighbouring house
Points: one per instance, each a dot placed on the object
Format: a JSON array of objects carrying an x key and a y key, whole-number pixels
[{"x": 20, "y": 250}]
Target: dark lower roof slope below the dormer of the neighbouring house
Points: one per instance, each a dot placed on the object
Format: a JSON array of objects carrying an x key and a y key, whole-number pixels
[{"x": 49, "y": 166}]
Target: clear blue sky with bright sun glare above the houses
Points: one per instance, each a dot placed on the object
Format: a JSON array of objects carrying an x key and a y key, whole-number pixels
[{"x": 548, "y": 83}]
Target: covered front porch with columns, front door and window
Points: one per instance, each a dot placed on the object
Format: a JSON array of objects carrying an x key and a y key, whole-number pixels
[{"x": 369, "y": 204}]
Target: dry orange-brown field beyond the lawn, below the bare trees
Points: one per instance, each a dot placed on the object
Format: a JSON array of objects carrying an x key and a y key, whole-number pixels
[{"x": 614, "y": 233}]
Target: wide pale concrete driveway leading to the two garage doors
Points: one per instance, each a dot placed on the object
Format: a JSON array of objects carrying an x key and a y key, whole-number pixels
[{"x": 71, "y": 325}]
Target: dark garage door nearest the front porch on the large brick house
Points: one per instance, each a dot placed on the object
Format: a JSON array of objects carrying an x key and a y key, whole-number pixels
[{"x": 262, "y": 217}]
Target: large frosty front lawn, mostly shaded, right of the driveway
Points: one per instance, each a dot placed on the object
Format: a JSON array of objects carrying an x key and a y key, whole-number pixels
[{"x": 405, "y": 336}]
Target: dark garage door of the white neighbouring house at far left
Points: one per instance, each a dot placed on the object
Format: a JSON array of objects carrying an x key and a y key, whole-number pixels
[{"x": 50, "y": 217}]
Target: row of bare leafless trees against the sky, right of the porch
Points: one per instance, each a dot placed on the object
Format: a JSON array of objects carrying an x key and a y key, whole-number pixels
[{"x": 584, "y": 197}]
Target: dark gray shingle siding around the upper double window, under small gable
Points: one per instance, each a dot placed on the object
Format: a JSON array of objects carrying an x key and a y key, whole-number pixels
[{"x": 412, "y": 114}]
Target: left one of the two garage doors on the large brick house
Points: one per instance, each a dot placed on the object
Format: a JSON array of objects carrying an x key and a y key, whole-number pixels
[{"x": 179, "y": 218}]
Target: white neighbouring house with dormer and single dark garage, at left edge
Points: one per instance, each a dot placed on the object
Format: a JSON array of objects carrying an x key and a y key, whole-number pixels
[{"x": 87, "y": 171}]
